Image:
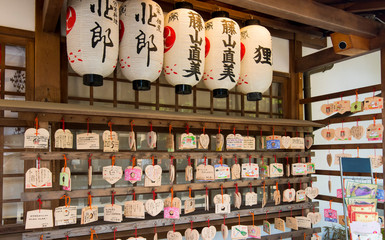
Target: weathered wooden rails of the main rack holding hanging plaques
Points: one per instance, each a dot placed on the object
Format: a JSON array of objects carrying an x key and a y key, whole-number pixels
[{"x": 76, "y": 116}]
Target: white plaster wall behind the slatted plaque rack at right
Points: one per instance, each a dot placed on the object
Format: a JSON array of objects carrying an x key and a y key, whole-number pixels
[{"x": 351, "y": 74}]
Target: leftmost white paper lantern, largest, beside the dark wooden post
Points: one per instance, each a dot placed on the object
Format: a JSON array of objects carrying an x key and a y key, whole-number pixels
[{"x": 92, "y": 28}]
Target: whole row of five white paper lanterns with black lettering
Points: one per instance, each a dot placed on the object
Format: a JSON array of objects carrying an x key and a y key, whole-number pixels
[{"x": 181, "y": 45}]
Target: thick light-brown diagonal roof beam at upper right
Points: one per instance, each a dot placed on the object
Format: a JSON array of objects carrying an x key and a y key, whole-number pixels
[{"x": 314, "y": 14}]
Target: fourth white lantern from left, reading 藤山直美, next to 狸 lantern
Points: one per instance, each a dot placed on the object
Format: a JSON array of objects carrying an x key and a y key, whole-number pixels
[{"x": 223, "y": 46}]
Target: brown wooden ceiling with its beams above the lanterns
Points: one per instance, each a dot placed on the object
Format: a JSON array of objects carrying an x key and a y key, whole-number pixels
[{"x": 308, "y": 21}]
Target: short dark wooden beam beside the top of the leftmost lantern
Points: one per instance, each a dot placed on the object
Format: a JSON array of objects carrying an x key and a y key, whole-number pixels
[{"x": 51, "y": 14}]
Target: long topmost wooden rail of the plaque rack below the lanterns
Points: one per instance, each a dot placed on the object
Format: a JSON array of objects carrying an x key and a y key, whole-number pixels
[{"x": 90, "y": 111}]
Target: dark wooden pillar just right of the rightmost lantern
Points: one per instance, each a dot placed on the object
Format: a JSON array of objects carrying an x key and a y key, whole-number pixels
[{"x": 294, "y": 111}]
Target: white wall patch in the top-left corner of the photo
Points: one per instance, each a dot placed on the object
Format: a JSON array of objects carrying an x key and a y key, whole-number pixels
[{"x": 18, "y": 14}]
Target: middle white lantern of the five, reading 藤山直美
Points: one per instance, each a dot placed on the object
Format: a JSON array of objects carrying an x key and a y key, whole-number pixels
[{"x": 184, "y": 41}]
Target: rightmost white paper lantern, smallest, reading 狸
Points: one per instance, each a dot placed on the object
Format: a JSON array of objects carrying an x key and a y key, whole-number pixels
[{"x": 256, "y": 63}]
